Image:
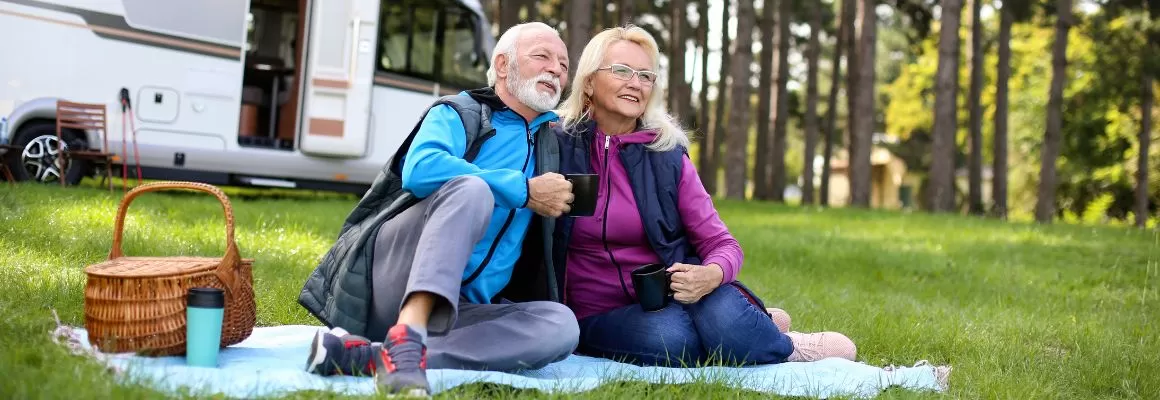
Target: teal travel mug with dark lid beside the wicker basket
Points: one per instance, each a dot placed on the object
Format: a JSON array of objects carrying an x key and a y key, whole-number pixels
[{"x": 205, "y": 311}]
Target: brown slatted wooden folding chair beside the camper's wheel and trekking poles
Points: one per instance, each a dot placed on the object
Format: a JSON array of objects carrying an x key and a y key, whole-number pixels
[{"x": 85, "y": 118}]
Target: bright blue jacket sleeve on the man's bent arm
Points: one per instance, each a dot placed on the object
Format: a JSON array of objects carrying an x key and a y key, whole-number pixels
[{"x": 437, "y": 157}]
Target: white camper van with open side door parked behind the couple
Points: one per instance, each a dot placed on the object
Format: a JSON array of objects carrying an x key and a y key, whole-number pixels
[{"x": 315, "y": 94}]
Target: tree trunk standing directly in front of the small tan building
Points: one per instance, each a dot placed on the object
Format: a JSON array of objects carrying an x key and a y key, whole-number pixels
[{"x": 862, "y": 134}]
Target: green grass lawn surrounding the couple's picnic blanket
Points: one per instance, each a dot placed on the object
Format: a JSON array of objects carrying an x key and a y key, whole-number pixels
[{"x": 1019, "y": 310}]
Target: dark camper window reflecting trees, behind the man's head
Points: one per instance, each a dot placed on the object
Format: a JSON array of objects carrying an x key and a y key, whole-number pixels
[{"x": 433, "y": 42}]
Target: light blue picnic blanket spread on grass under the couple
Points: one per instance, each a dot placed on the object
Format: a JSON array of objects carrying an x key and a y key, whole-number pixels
[{"x": 271, "y": 363}]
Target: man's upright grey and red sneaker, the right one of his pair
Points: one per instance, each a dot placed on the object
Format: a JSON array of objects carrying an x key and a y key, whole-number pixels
[{"x": 401, "y": 367}]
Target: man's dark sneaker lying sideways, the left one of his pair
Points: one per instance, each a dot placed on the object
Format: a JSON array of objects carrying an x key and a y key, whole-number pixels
[{"x": 343, "y": 354}]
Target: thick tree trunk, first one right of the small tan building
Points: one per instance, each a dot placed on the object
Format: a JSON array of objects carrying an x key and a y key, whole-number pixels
[{"x": 942, "y": 161}]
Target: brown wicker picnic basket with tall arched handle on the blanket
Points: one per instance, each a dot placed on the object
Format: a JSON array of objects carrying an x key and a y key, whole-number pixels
[{"x": 139, "y": 304}]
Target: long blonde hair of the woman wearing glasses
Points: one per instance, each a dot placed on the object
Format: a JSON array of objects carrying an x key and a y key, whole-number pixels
[{"x": 574, "y": 112}]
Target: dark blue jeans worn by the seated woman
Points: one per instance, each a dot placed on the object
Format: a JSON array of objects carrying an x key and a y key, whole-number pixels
[{"x": 729, "y": 326}]
